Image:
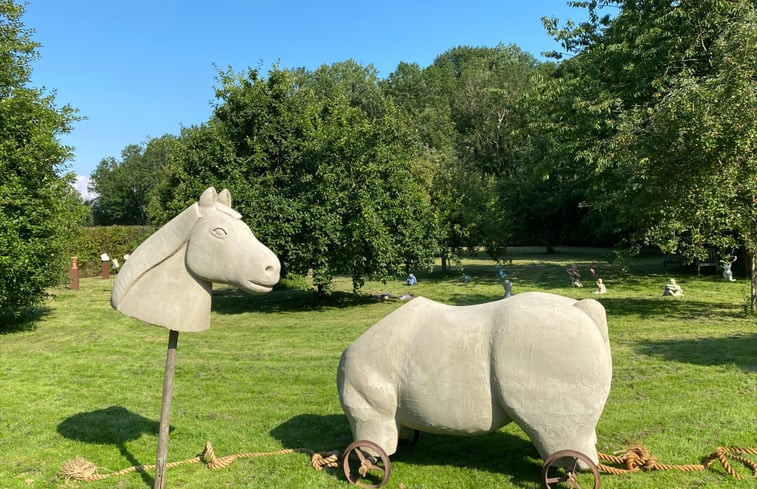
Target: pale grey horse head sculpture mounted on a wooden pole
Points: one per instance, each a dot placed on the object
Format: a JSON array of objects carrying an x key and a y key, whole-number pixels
[{"x": 168, "y": 279}]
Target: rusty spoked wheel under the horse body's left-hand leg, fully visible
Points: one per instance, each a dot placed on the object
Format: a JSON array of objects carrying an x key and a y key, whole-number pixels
[{"x": 366, "y": 464}]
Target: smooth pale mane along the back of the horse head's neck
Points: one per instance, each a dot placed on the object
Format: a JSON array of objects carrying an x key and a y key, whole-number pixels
[{"x": 160, "y": 246}]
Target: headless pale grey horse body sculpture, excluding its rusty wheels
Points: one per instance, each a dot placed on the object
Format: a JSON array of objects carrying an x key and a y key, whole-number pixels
[{"x": 538, "y": 359}]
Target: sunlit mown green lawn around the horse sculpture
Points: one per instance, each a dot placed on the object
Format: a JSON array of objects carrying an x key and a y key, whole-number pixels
[{"x": 84, "y": 380}]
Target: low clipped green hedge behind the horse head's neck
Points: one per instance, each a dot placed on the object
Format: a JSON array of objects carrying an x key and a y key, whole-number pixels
[{"x": 92, "y": 241}]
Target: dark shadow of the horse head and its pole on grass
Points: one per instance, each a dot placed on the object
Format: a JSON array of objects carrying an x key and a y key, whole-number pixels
[{"x": 114, "y": 425}]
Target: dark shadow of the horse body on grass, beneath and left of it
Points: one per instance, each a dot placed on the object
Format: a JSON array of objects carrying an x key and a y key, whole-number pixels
[{"x": 498, "y": 452}]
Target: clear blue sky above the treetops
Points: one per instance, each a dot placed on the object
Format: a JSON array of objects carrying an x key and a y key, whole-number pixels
[{"x": 138, "y": 69}]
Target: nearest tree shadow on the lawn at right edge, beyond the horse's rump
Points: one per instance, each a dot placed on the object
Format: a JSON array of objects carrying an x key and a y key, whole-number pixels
[{"x": 739, "y": 350}]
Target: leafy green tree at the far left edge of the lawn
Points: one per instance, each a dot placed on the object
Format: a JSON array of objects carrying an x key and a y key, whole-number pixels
[{"x": 38, "y": 206}]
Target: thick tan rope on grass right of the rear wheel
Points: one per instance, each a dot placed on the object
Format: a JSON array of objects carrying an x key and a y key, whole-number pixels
[{"x": 637, "y": 459}]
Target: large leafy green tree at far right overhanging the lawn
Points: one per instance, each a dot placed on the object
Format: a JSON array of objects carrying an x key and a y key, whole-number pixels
[{"x": 673, "y": 85}]
